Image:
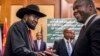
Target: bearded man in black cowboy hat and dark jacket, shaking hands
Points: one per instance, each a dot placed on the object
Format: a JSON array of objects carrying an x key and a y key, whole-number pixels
[{"x": 18, "y": 38}]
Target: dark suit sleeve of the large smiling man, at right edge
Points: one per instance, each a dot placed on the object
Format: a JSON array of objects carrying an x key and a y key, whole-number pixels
[{"x": 95, "y": 39}]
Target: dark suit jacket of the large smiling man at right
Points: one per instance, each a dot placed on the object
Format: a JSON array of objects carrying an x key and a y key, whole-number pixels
[{"x": 88, "y": 43}]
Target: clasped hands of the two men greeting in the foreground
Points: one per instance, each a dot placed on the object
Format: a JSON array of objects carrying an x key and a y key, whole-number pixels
[{"x": 48, "y": 52}]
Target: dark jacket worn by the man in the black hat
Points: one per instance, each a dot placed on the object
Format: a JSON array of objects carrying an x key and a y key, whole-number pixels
[{"x": 18, "y": 42}]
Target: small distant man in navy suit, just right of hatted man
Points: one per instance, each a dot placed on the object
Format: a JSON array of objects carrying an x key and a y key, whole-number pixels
[{"x": 39, "y": 44}]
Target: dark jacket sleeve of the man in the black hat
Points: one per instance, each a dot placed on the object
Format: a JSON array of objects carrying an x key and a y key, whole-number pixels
[{"x": 18, "y": 44}]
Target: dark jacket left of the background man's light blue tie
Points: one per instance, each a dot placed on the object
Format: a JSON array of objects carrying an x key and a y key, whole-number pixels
[{"x": 60, "y": 47}]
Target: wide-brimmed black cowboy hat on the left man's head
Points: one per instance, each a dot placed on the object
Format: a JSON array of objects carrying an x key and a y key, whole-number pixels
[{"x": 30, "y": 9}]
